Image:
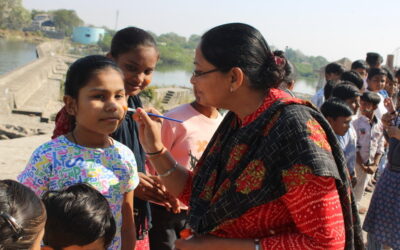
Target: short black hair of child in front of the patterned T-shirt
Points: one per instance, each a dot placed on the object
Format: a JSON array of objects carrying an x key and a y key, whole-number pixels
[{"x": 77, "y": 215}]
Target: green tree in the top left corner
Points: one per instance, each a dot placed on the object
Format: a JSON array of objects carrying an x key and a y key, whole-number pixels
[{"x": 13, "y": 15}]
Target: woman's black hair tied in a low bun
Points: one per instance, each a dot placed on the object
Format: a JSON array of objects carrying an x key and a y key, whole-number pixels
[{"x": 240, "y": 45}]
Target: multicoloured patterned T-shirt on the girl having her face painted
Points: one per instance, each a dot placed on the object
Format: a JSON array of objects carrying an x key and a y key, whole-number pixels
[{"x": 61, "y": 163}]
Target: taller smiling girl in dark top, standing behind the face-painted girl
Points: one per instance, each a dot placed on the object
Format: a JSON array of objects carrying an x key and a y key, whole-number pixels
[{"x": 135, "y": 52}]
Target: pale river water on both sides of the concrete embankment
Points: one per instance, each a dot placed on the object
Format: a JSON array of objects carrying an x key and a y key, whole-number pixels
[{"x": 14, "y": 54}]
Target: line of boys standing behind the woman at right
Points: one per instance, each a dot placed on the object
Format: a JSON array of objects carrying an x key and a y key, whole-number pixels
[{"x": 354, "y": 105}]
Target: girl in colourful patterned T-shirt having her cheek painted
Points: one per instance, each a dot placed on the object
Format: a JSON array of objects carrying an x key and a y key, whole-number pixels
[{"x": 95, "y": 97}]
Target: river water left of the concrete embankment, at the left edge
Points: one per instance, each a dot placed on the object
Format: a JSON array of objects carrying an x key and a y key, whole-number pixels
[{"x": 14, "y": 54}]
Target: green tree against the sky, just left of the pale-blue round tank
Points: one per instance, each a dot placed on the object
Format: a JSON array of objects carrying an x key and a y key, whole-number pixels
[{"x": 66, "y": 20}]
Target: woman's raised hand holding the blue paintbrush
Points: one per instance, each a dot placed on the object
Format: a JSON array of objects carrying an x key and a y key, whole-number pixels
[{"x": 149, "y": 130}]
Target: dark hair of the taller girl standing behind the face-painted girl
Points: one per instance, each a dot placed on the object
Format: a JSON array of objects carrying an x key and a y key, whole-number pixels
[{"x": 130, "y": 38}]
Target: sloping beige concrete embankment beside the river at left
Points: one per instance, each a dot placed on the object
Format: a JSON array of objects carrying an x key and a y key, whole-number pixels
[{"x": 34, "y": 87}]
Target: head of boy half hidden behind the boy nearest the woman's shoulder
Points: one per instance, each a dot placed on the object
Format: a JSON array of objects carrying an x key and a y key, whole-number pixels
[{"x": 348, "y": 93}]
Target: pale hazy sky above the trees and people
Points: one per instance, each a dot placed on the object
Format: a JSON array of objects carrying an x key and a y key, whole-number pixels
[{"x": 333, "y": 29}]
